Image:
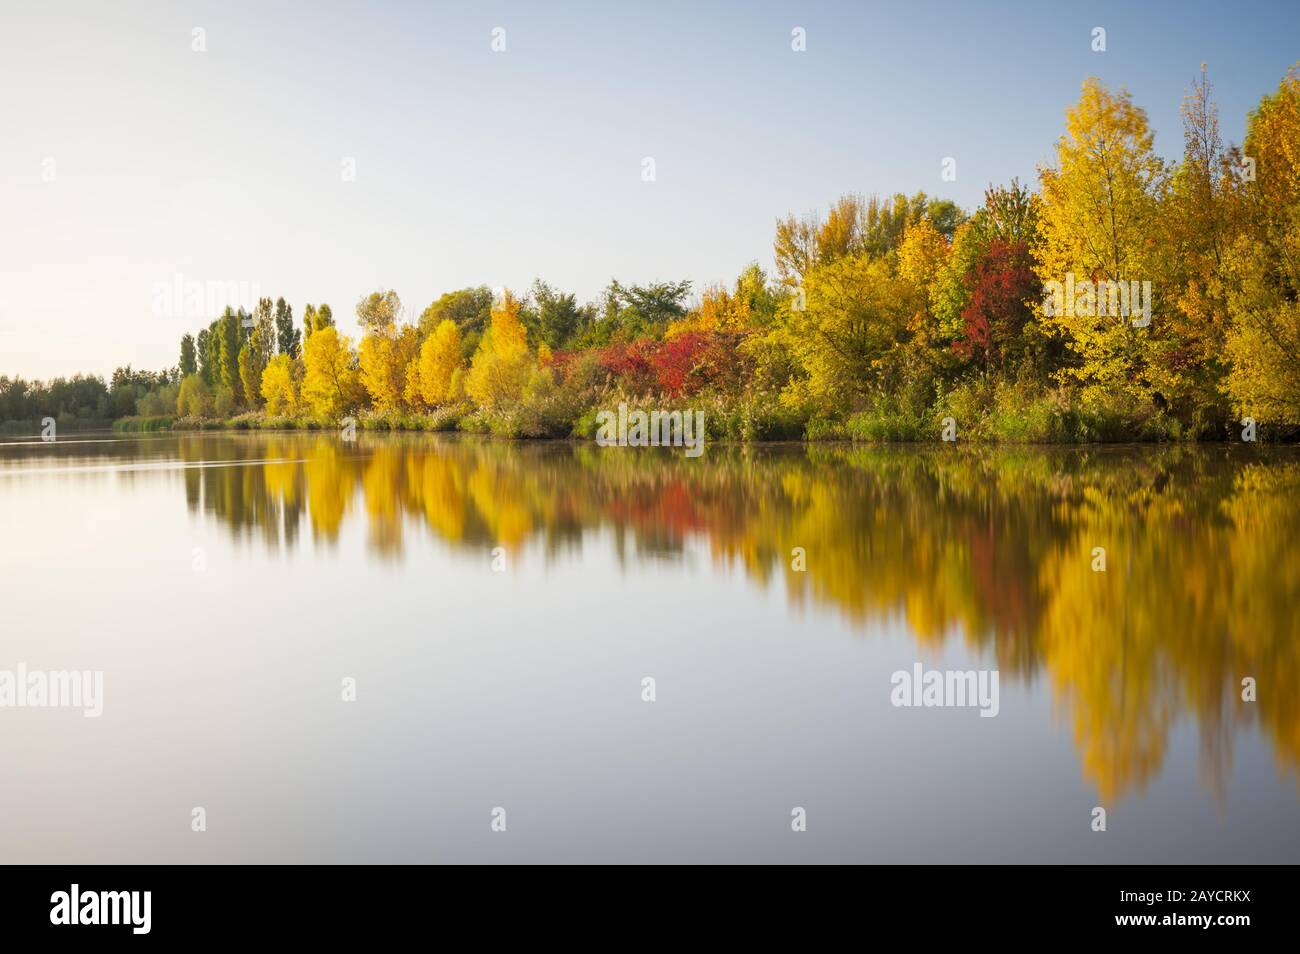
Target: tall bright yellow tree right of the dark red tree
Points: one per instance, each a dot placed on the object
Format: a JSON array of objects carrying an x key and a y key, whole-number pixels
[{"x": 1099, "y": 223}]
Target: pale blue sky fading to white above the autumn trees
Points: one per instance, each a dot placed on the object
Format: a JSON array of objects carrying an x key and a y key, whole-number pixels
[{"x": 322, "y": 151}]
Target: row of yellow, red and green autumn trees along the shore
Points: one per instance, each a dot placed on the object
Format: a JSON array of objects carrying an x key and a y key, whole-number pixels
[{"x": 883, "y": 316}]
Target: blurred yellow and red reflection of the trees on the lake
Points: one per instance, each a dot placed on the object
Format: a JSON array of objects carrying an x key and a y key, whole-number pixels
[{"x": 993, "y": 549}]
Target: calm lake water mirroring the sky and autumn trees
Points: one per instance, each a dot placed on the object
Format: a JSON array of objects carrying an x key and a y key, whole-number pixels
[{"x": 227, "y": 586}]
